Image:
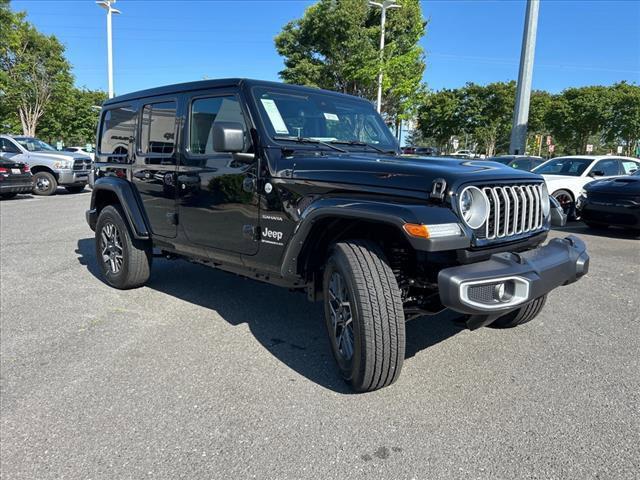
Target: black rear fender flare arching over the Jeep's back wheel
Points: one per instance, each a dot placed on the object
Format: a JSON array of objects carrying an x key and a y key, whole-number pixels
[{"x": 129, "y": 200}]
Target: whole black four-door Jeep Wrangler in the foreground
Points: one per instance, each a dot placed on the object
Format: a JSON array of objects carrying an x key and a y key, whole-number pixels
[{"x": 306, "y": 189}]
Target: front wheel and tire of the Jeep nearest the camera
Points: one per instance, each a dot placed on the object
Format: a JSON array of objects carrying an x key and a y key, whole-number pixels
[{"x": 358, "y": 273}]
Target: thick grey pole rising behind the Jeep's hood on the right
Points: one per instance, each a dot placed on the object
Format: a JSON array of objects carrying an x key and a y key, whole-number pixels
[{"x": 523, "y": 92}]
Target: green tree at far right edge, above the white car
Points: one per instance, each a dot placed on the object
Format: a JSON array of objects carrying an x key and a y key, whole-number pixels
[{"x": 623, "y": 123}]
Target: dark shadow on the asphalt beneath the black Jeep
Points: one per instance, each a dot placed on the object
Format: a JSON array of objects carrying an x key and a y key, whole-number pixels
[{"x": 283, "y": 322}]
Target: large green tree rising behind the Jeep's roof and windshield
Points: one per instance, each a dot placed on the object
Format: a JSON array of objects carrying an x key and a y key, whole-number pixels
[{"x": 335, "y": 46}]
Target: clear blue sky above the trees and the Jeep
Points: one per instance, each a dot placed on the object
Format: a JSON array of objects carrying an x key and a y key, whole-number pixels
[{"x": 580, "y": 42}]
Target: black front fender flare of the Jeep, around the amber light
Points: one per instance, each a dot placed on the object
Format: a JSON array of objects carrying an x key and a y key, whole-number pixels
[{"x": 386, "y": 212}]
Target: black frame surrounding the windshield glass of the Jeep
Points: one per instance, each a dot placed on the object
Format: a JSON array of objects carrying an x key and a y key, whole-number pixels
[{"x": 255, "y": 93}]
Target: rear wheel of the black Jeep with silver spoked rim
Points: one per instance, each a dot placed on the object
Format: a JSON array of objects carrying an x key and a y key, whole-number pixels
[{"x": 126, "y": 262}]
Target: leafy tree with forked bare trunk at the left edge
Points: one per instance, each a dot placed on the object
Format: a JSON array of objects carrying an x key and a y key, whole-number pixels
[{"x": 33, "y": 66}]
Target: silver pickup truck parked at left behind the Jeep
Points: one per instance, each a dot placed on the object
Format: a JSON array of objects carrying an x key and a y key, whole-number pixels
[{"x": 49, "y": 167}]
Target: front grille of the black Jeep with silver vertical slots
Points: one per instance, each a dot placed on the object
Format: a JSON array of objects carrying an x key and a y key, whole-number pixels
[{"x": 513, "y": 210}]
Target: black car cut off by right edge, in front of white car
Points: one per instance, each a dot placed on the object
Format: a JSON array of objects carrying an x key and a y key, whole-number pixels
[{"x": 611, "y": 202}]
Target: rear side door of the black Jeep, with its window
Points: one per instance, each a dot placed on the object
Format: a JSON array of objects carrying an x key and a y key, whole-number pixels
[{"x": 155, "y": 165}]
